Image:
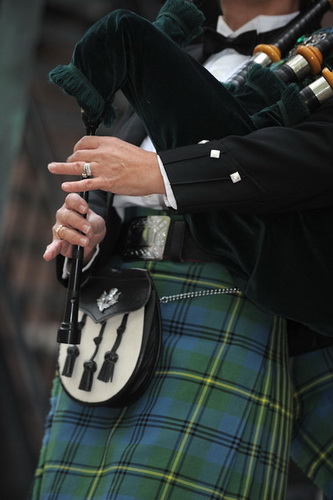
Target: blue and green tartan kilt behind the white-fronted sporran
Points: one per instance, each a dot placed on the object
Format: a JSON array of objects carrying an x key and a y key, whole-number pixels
[{"x": 215, "y": 422}]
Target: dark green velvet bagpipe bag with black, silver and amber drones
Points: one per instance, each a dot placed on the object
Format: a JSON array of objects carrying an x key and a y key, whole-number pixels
[{"x": 124, "y": 51}]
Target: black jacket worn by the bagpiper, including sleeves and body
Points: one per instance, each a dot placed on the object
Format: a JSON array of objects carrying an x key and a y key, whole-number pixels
[{"x": 273, "y": 229}]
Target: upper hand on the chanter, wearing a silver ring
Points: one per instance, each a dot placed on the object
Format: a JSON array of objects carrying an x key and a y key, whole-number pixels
[{"x": 116, "y": 166}]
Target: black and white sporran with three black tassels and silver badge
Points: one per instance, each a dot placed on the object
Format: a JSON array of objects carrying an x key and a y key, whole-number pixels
[{"x": 120, "y": 341}]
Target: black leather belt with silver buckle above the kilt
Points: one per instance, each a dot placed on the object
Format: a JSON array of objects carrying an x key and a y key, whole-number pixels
[{"x": 159, "y": 237}]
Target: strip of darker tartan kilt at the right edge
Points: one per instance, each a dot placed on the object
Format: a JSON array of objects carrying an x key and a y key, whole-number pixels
[{"x": 312, "y": 443}]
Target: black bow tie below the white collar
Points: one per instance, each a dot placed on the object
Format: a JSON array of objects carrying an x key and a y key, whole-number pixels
[{"x": 244, "y": 43}]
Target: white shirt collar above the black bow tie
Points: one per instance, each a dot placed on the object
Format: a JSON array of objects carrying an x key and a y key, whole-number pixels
[{"x": 259, "y": 23}]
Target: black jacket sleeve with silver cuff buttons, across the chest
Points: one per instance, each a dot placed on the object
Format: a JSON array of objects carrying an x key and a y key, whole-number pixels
[{"x": 275, "y": 169}]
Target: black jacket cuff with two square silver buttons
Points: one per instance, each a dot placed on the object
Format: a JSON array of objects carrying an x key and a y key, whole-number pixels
[{"x": 205, "y": 176}]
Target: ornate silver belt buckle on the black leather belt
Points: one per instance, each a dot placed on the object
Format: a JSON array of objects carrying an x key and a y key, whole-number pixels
[{"x": 146, "y": 237}]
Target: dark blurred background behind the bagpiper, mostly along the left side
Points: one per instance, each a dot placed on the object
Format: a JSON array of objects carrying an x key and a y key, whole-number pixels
[{"x": 39, "y": 124}]
